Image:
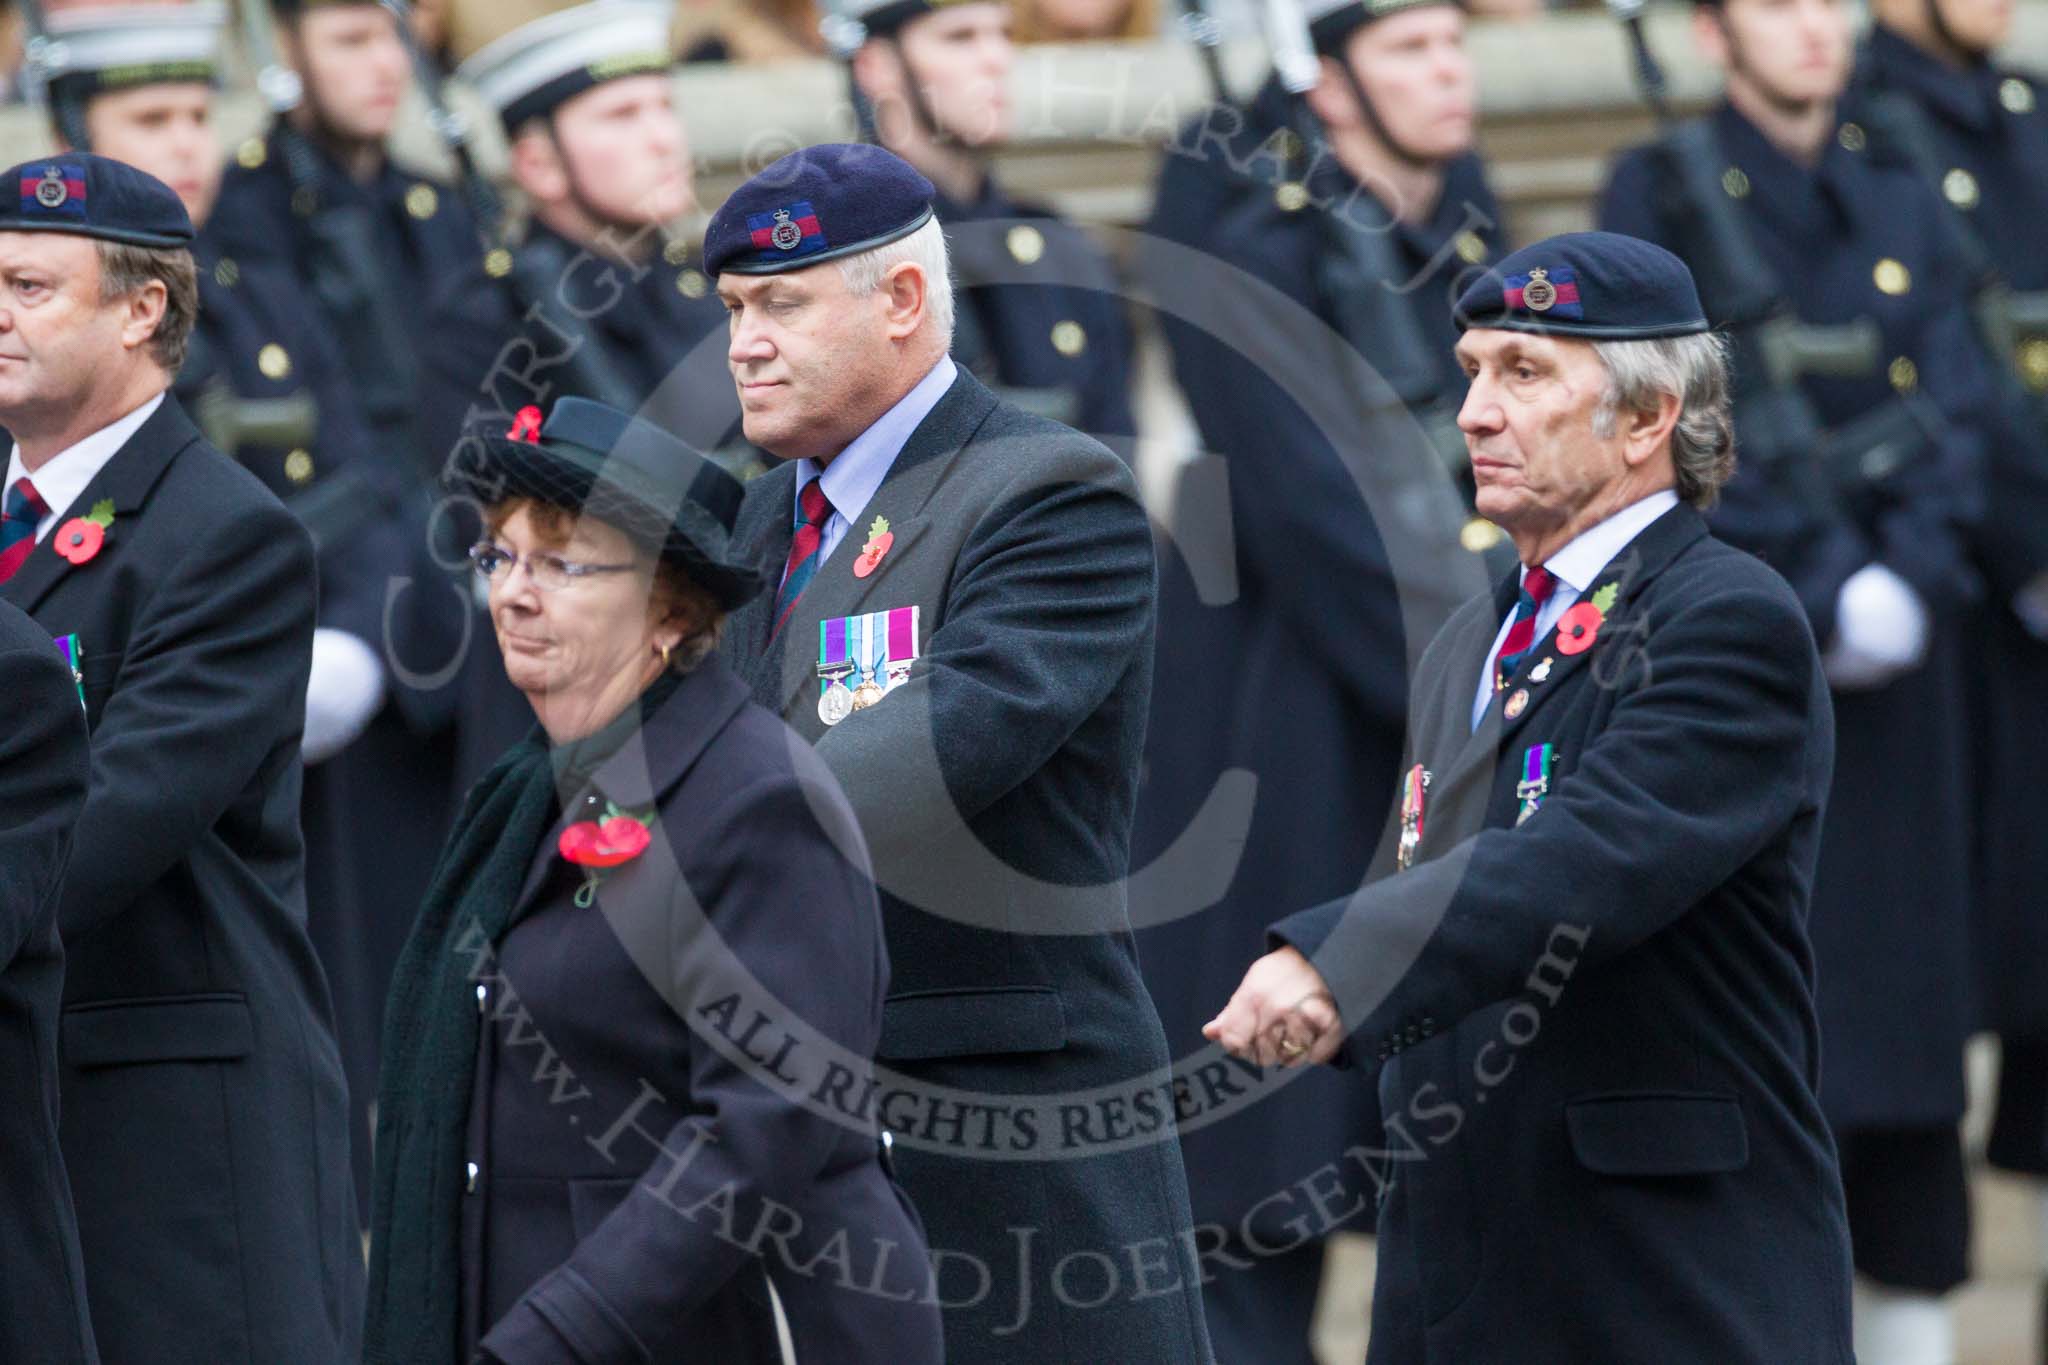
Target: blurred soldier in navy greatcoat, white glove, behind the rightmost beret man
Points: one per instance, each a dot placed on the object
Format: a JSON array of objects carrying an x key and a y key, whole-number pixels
[{"x": 1891, "y": 509}]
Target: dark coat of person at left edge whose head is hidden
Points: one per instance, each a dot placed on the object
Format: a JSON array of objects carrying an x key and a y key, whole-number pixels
[{"x": 44, "y": 770}]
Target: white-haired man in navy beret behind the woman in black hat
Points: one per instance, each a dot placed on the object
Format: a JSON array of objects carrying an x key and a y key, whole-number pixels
[{"x": 962, "y": 621}]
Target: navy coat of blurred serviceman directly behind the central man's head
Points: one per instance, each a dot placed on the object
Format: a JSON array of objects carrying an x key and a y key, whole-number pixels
[{"x": 1054, "y": 339}]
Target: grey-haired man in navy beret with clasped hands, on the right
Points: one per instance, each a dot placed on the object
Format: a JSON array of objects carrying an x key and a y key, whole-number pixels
[{"x": 1580, "y": 969}]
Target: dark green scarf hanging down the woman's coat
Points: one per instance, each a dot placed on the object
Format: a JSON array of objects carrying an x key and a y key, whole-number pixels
[{"x": 431, "y": 1039}]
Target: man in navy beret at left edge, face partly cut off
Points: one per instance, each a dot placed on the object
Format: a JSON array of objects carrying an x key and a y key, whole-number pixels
[{"x": 204, "y": 1112}]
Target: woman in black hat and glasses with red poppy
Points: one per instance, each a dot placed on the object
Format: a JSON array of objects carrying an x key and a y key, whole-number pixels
[{"x": 626, "y": 1106}]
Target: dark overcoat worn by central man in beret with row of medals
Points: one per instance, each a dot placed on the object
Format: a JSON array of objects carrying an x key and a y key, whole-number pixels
[{"x": 996, "y": 789}]
